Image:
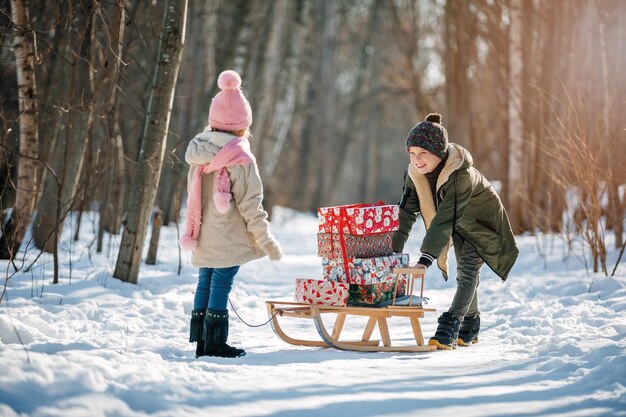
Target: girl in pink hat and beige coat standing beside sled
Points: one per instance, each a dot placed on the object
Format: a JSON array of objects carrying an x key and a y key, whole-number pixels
[{"x": 226, "y": 224}]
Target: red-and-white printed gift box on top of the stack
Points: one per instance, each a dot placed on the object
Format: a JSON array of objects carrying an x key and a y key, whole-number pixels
[{"x": 359, "y": 219}]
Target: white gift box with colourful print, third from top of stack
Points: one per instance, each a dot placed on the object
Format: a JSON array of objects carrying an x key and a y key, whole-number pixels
[{"x": 363, "y": 271}]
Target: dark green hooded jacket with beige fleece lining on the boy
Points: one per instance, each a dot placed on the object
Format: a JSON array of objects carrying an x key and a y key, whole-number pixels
[{"x": 467, "y": 205}]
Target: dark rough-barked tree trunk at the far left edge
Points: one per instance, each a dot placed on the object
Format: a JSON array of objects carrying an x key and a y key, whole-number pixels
[{"x": 27, "y": 171}]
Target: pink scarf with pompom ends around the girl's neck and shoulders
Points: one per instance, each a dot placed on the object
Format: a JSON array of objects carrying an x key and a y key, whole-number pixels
[{"x": 235, "y": 152}]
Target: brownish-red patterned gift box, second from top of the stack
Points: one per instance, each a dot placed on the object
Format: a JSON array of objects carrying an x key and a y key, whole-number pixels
[{"x": 357, "y": 246}]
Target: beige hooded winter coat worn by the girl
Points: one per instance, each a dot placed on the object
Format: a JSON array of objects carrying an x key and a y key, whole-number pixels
[{"x": 233, "y": 238}]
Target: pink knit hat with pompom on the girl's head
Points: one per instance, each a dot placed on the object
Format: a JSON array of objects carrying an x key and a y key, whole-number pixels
[{"x": 229, "y": 109}]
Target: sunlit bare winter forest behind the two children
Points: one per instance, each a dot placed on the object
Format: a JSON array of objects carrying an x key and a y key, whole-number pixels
[{"x": 100, "y": 98}]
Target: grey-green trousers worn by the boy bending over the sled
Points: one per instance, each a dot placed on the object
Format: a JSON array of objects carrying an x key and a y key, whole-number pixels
[{"x": 465, "y": 302}]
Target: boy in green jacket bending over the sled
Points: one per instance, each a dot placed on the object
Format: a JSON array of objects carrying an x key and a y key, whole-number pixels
[{"x": 459, "y": 206}]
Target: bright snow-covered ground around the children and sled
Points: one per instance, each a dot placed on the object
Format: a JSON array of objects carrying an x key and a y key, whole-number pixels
[{"x": 553, "y": 342}]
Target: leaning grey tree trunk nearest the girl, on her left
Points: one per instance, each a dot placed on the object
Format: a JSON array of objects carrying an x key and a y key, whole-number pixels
[{"x": 156, "y": 125}]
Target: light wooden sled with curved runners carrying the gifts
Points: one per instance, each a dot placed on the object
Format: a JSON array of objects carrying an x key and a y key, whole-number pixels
[{"x": 377, "y": 316}]
